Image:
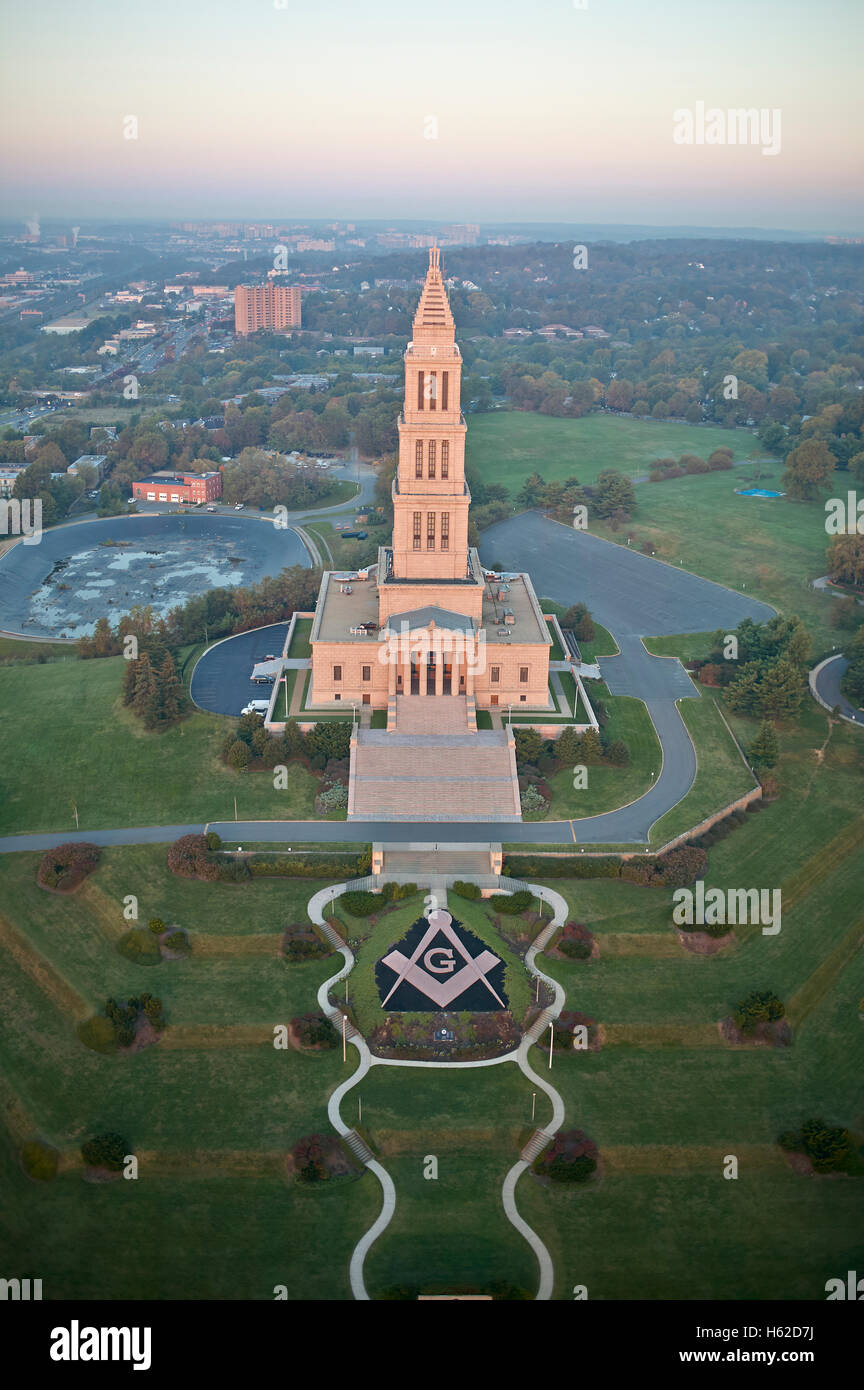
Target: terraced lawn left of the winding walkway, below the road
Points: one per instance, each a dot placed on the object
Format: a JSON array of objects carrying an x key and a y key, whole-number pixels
[{"x": 215, "y": 1216}]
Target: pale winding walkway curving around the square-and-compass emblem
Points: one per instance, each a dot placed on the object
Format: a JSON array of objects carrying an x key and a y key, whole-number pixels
[{"x": 317, "y": 906}]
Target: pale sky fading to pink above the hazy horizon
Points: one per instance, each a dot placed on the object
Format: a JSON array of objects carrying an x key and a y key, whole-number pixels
[{"x": 544, "y": 112}]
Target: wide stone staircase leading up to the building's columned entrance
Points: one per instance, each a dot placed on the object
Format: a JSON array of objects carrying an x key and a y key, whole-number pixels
[{"x": 433, "y": 768}]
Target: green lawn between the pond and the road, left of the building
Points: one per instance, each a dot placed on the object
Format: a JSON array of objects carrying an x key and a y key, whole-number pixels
[{"x": 87, "y": 751}]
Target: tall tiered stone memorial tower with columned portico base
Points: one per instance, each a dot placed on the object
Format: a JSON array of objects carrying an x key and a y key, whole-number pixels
[{"x": 426, "y": 633}]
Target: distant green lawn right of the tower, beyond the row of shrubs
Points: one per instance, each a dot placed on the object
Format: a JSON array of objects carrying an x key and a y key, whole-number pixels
[{"x": 508, "y": 447}]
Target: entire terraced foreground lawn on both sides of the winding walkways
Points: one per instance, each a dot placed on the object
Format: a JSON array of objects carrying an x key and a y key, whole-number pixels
[{"x": 213, "y": 1111}]
